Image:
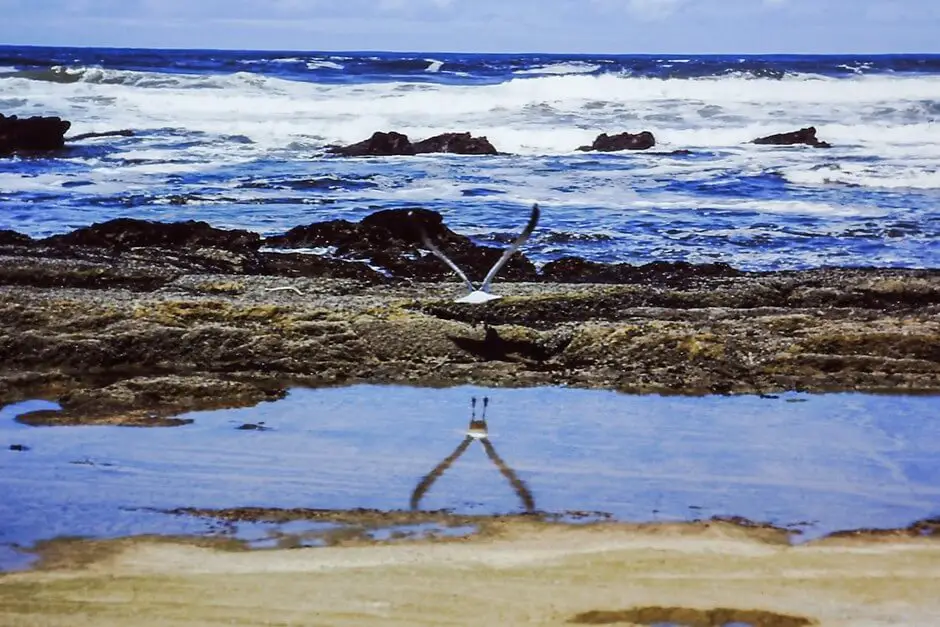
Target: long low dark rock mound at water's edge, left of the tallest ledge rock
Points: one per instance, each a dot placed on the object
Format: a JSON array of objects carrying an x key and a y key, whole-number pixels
[{"x": 124, "y": 233}]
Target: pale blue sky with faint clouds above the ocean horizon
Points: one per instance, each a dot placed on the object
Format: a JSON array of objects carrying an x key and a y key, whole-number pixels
[{"x": 572, "y": 26}]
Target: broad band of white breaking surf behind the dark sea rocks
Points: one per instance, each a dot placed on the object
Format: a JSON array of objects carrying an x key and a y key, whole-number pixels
[{"x": 552, "y": 114}]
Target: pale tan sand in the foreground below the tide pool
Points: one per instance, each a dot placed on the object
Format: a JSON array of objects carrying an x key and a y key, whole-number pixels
[{"x": 523, "y": 574}]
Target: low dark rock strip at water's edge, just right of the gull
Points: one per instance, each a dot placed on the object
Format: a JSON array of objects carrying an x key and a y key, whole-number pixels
[{"x": 578, "y": 270}]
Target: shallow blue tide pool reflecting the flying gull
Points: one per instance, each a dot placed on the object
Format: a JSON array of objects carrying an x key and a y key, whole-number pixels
[{"x": 812, "y": 463}]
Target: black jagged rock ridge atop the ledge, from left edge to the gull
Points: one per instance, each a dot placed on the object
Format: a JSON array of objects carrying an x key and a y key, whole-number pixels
[{"x": 384, "y": 247}]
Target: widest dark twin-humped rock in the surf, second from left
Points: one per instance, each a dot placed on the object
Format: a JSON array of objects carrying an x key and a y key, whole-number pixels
[{"x": 392, "y": 143}]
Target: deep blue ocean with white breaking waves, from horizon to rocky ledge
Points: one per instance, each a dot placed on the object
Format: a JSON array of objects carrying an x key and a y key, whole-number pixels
[{"x": 236, "y": 138}]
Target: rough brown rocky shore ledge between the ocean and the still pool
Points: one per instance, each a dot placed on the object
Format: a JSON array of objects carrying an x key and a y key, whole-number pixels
[{"x": 132, "y": 322}]
